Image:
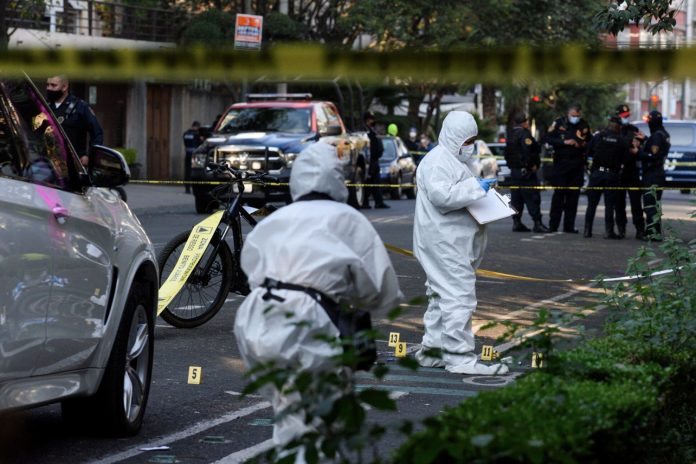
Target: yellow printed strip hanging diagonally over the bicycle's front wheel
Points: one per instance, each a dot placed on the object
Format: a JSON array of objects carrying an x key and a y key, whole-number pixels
[{"x": 198, "y": 241}]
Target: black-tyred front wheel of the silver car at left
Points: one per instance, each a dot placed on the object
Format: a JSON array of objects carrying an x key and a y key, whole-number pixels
[{"x": 118, "y": 407}]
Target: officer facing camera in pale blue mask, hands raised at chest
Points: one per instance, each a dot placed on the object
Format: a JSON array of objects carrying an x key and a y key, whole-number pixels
[{"x": 569, "y": 136}]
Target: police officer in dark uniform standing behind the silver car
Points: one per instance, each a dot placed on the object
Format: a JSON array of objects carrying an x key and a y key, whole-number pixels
[{"x": 75, "y": 115}]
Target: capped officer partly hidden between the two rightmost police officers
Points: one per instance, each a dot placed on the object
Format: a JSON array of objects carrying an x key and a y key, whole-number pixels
[{"x": 630, "y": 178}]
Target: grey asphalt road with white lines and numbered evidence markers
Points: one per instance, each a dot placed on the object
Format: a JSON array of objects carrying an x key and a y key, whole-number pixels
[{"x": 211, "y": 422}]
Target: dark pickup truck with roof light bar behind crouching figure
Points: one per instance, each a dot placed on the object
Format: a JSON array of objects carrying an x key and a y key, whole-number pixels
[{"x": 266, "y": 134}]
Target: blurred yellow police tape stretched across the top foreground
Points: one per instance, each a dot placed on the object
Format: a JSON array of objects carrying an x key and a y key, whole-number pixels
[{"x": 575, "y": 63}]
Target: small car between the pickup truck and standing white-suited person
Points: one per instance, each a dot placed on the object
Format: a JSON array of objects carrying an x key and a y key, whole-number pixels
[{"x": 396, "y": 167}]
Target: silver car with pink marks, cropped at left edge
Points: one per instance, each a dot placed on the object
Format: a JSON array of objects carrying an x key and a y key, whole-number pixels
[{"x": 78, "y": 275}]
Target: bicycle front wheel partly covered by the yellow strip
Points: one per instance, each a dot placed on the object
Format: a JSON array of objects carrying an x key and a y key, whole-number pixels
[{"x": 202, "y": 296}]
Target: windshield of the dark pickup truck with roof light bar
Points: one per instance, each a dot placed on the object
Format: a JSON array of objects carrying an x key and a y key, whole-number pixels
[{"x": 291, "y": 120}]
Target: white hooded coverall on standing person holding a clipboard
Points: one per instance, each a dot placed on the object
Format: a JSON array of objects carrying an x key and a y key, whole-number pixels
[{"x": 449, "y": 244}]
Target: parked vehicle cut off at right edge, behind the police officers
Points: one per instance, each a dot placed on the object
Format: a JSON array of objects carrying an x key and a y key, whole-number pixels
[{"x": 680, "y": 165}]
